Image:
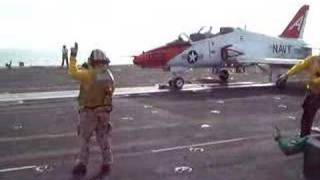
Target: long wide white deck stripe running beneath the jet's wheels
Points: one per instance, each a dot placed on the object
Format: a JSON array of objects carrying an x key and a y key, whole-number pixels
[{"x": 8, "y": 97}]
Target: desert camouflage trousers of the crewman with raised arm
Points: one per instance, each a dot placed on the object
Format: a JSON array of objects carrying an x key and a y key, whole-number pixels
[{"x": 94, "y": 121}]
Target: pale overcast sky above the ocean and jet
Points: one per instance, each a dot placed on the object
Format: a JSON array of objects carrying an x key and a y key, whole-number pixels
[{"x": 123, "y": 28}]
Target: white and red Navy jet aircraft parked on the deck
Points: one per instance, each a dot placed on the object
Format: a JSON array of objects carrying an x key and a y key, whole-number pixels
[{"x": 229, "y": 46}]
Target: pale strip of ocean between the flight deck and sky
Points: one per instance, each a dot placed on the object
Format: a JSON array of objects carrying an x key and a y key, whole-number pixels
[{"x": 44, "y": 58}]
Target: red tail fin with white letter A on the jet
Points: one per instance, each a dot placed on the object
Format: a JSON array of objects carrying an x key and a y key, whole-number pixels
[{"x": 296, "y": 27}]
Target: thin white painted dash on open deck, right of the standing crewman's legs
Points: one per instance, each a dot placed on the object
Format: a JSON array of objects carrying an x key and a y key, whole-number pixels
[{"x": 201, "y": 144}]
